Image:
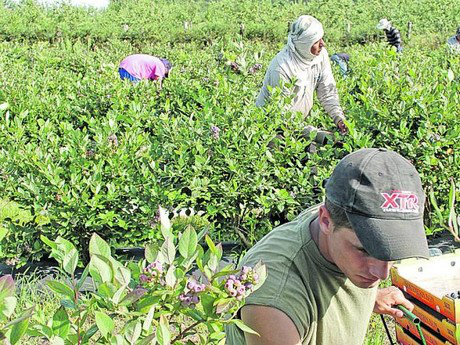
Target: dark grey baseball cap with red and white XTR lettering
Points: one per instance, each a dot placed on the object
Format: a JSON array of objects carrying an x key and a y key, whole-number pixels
[{"x": 383, "y": 198}]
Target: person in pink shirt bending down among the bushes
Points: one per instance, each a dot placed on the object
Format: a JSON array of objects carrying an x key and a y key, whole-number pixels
[{"x": 142, "y": 66}]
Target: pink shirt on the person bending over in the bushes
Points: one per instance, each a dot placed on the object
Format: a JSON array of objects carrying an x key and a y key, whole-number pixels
[{"x": 143, "y": 66}]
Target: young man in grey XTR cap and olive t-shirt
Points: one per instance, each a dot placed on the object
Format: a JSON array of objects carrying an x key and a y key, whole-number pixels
[{"x": 324, "y": 267}]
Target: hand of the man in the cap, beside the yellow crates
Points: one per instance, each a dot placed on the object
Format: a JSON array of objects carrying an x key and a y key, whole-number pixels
[{"x": 389, "y": 297}]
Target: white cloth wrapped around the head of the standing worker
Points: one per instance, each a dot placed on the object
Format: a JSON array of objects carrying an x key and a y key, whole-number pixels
[{"x": 304, "y": 32}]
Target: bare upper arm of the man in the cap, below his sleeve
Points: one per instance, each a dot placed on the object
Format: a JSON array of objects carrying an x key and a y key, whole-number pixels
[{"x": 273, "y": 326}]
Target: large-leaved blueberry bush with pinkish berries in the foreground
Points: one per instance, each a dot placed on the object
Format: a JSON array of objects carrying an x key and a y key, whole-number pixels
[{"x": 159, "y": 302}]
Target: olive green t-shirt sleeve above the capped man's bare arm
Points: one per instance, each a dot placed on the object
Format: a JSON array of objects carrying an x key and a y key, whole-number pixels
[{"x": 286, "y": 292}]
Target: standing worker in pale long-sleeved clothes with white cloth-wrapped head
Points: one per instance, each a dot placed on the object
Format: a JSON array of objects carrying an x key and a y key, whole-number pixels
[{"x": 305, "y": 61}]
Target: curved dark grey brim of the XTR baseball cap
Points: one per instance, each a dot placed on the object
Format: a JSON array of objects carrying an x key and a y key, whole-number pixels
[{"x": 391, "y": 240}]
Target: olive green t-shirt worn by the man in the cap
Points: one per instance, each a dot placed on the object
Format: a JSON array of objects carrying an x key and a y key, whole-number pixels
[{"x": 325, "y": 306}]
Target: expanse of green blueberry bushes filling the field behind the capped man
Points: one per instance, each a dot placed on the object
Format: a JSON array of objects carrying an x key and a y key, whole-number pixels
[{"x": 82, "y": 152}]
